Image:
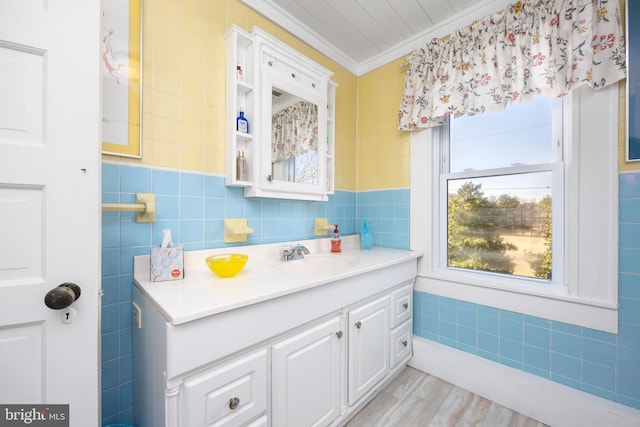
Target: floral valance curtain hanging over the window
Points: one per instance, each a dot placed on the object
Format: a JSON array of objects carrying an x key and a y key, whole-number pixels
[{"x": 533, "y": 47}]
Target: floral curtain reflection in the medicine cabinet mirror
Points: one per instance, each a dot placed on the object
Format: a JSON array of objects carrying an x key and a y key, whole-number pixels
[{"x": 294, "y": 131}]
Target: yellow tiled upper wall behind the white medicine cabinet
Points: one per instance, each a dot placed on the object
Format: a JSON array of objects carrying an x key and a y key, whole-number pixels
[{"x": 183, "y": 86}]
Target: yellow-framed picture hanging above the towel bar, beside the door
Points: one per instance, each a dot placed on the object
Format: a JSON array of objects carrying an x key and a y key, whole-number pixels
[{"x": 121, "y": 59}]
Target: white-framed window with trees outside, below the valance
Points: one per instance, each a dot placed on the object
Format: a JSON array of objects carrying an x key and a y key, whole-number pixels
[{"x": 473, "y": 190}]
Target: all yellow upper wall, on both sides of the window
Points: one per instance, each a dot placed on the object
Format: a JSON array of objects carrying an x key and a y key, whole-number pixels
[{"x": 184, "y": 98}]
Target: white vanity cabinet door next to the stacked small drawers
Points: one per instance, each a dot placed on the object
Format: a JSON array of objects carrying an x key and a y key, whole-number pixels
[{"x": 368, "y": 346}]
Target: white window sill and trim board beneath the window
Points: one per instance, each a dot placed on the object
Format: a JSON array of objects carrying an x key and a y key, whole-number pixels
[{"x": 554, "y": 305}]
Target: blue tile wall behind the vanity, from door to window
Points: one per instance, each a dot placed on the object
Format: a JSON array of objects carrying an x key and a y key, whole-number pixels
[{"x": 194, "y": 206}]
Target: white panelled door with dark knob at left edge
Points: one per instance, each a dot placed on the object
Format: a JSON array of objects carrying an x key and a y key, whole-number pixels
[{"x": 49, "y": 204}]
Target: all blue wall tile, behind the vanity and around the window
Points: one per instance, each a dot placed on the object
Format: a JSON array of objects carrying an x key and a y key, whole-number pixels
[{"x": 194, "y": 206}]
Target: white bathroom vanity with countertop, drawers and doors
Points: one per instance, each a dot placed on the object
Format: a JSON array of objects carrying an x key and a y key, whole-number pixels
[{"x": 284, "y": 343}]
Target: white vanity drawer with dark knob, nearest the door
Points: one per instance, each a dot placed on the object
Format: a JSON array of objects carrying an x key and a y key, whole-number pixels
[{"x": 230, "y": 394}]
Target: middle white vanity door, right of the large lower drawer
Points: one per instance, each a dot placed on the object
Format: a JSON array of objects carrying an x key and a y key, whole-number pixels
[{"x": 306, "y": 376}]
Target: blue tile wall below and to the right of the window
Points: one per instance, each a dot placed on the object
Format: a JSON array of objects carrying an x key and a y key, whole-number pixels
[{"x": 603, "y": 364}]
